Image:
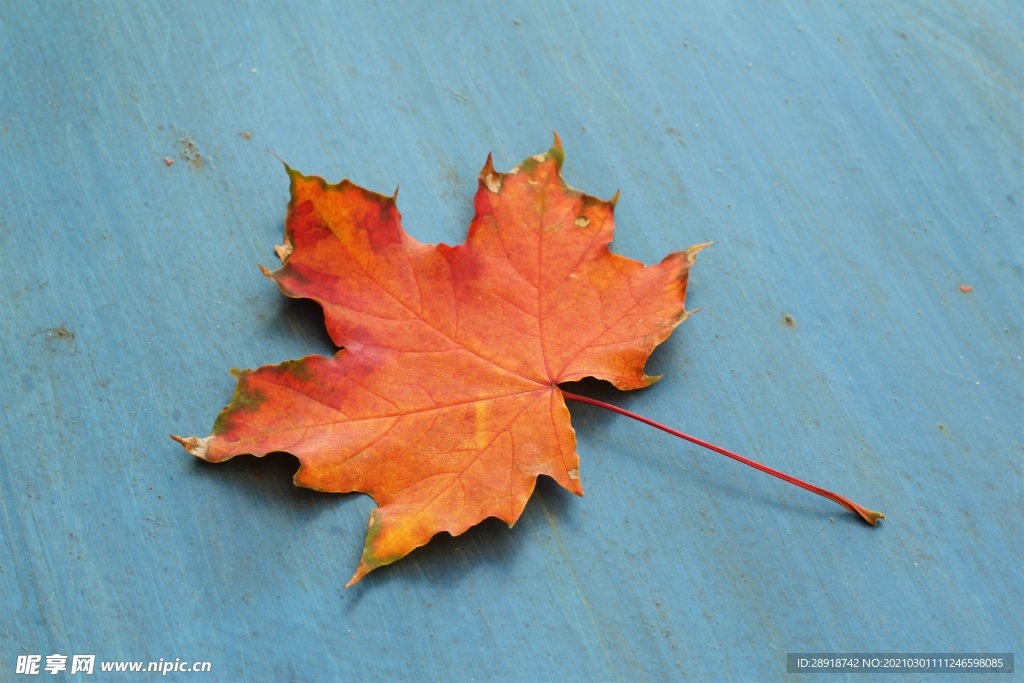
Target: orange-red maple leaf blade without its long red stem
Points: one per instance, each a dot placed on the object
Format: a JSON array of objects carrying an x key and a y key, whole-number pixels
[{"x": 444, "y": 404}]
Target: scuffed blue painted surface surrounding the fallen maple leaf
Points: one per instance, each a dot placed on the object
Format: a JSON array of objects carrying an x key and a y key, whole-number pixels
[{"x": 856, "y": 163}]
